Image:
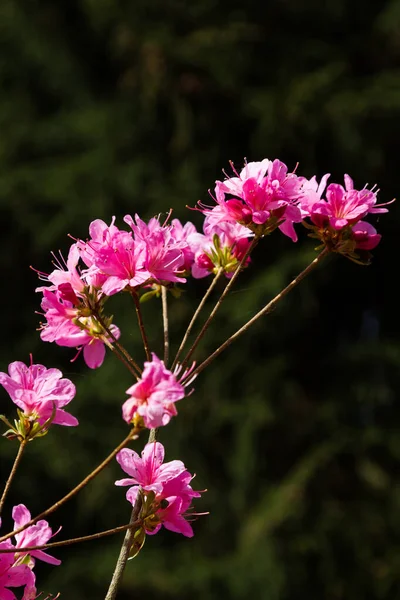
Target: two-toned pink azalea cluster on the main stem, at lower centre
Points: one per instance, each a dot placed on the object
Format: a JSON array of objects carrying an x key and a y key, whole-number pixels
[{"x": 165, "y": 489}]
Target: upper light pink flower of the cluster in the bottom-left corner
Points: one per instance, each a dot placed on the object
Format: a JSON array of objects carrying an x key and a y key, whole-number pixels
[{"x": 35, "y": 535}]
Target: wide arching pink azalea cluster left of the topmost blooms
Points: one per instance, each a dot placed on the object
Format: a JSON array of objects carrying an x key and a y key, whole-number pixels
[{"x": 115, "y": 260}]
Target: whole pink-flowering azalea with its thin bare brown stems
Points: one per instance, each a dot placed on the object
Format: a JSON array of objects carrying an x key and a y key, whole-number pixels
[{"x": 148, "y": 261}]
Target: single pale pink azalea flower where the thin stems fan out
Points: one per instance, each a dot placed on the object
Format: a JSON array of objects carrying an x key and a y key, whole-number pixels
[{"x": 153, "y": 397}]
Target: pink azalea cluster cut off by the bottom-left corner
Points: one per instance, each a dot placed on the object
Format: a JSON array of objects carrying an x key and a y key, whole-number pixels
[{"x": 16, "y": 568}]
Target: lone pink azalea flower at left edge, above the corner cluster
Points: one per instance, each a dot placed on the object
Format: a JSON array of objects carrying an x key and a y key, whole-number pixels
[{"x": 37, "y": 391}]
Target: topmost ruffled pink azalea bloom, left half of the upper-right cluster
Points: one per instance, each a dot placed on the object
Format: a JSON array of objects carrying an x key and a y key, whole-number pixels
[{"x": 267, "y": 197}]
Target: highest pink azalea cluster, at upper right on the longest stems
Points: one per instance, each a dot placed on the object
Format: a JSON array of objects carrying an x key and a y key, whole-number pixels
[{"x": 264, "y": 196}]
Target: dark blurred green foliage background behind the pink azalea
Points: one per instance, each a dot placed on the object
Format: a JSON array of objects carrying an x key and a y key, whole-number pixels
[{"x": 108, "y": 108}]
